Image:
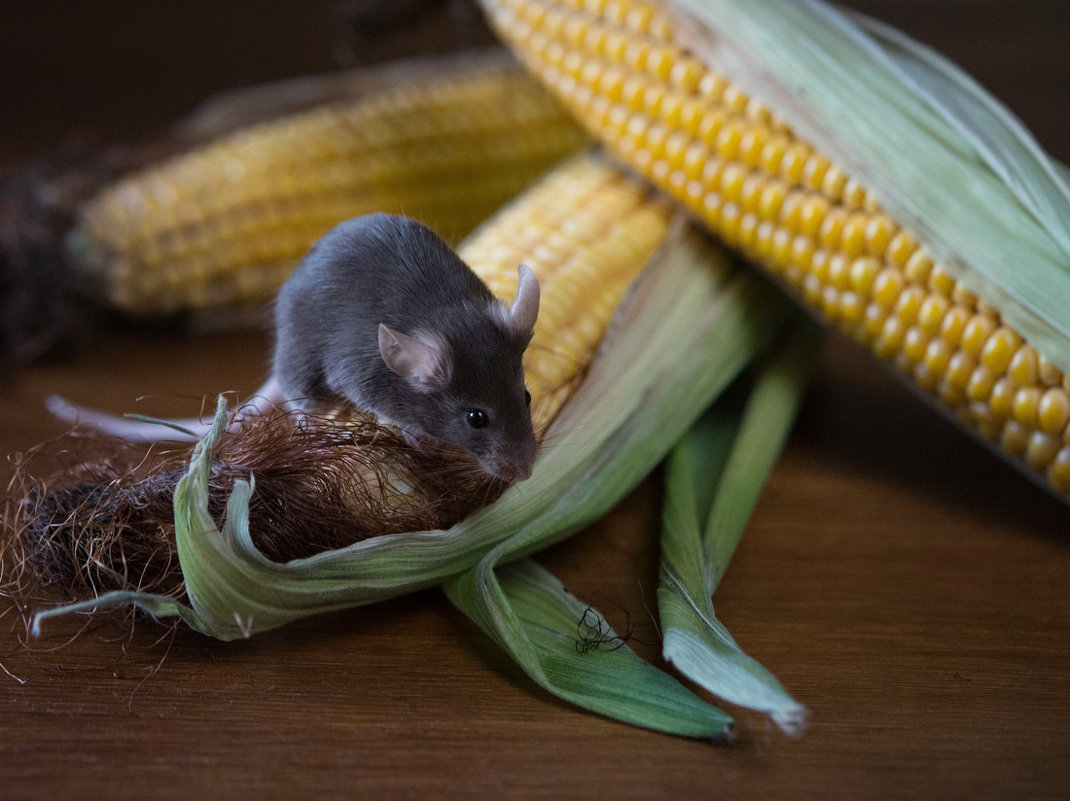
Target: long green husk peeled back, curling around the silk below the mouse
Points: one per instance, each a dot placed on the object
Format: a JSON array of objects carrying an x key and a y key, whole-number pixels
[{"x": 692, "y": 322}]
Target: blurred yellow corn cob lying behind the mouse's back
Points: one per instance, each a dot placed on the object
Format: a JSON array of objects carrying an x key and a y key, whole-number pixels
[{"x": 225, "y": 224}]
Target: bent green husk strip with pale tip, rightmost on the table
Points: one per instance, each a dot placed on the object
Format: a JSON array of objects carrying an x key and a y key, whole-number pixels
[{"x": 713, "y": 481}]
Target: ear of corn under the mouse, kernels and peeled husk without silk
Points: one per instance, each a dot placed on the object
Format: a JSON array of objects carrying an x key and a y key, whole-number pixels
[{"x": 684, "y": 331}]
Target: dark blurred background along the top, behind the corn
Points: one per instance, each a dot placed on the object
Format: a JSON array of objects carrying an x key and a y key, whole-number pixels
[{"x": 121, "y": 68}]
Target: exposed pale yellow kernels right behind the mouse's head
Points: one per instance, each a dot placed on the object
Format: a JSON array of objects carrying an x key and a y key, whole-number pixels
[{"x": 586, "y": 230}]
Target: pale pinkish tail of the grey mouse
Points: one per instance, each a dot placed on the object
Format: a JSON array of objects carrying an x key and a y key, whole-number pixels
[{"x": 140, "y": 429}]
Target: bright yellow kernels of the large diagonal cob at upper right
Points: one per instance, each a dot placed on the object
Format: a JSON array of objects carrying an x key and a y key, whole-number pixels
[{"x": 621, "y": 69}]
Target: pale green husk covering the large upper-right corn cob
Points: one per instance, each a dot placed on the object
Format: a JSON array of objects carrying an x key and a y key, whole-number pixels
[{"x": 944, "y": 158}]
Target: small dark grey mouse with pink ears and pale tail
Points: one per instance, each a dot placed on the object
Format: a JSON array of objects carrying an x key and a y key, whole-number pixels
[{"x": 384, "y": 314}]
